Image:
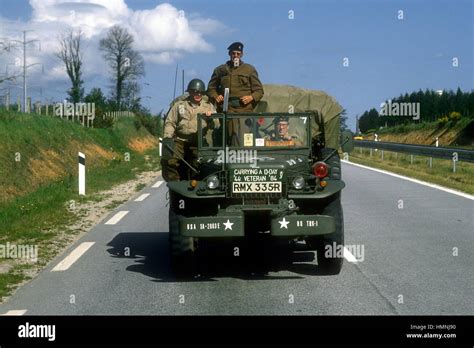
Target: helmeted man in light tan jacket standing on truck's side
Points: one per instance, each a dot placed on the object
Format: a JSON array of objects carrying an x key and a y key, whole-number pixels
[{"x": 180, "y": 131}]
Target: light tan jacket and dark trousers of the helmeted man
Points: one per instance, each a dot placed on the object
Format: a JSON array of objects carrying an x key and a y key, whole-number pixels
[{"x": 181, "y": 125}]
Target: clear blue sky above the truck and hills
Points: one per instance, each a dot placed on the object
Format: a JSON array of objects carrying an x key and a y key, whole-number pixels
[{"x": 387, "y": 56}]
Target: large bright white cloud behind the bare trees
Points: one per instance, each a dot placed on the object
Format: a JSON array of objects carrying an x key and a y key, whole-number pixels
[{"x": 162, "y": 34}]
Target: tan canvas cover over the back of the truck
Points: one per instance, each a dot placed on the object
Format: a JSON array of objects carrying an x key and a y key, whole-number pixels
[{"x": 279, "y": 98}]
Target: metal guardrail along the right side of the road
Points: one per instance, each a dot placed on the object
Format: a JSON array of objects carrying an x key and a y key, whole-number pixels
[{"x": 429, "y": 151}]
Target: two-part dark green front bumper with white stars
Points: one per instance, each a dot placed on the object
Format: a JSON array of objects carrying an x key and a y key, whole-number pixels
[{"x": 233, "y": 226}]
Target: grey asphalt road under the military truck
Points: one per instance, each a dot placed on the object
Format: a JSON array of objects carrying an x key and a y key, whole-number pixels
[{"x": 410, "y": 265}]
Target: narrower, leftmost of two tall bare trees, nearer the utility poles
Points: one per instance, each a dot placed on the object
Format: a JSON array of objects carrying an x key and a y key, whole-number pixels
[{"x": 70, "y": 54}]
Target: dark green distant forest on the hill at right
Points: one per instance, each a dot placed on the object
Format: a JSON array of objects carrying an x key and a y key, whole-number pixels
[{"x": 445, "y": 107}]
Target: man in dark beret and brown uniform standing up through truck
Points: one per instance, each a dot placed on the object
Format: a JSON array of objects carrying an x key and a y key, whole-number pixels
[{"x": 245, "y": 88}]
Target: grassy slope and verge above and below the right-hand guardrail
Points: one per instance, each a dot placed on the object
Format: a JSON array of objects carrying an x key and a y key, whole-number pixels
[{"x": 458, "y": 135}]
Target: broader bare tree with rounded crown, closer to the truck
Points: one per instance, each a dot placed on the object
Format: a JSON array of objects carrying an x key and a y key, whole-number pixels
[{"x": 126, "y": 64}]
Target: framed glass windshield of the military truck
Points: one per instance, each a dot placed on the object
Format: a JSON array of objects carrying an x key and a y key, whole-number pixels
[{"x": 261, "y": 131}]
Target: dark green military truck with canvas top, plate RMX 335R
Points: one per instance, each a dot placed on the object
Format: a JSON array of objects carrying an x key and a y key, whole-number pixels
[{"x": 253, "y": 181}]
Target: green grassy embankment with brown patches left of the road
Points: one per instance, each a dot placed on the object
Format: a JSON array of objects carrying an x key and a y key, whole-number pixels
[{"x": 38, "y": 178}]
